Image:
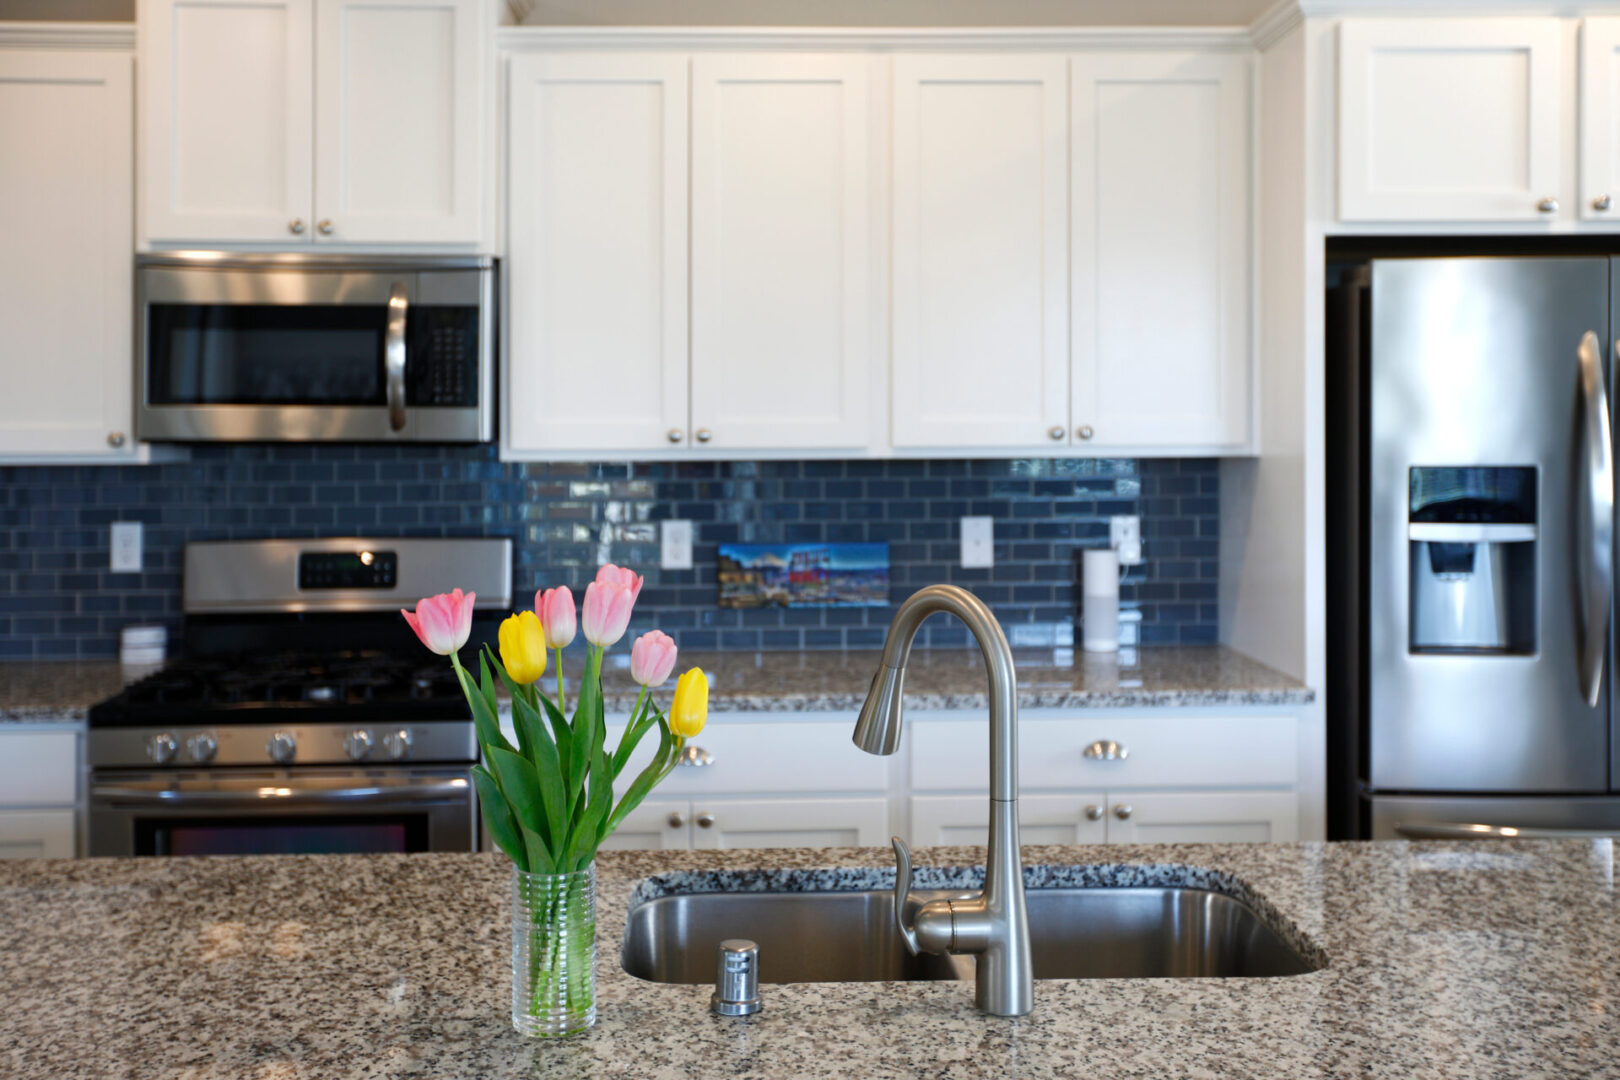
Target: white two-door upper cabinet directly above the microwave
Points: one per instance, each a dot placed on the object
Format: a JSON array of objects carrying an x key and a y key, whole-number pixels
[{"x": 313, "y": 121}]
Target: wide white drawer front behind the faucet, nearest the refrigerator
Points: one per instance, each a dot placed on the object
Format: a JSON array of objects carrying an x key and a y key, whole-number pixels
[{"x": 1159, "y": 752}]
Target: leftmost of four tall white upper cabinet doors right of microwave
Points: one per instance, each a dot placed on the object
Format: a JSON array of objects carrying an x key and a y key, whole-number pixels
[{"x": 597, "y": 266}]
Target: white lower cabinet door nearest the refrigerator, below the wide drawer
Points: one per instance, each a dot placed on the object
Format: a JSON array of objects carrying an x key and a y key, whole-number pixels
[{"x": 1203, "y": 819}]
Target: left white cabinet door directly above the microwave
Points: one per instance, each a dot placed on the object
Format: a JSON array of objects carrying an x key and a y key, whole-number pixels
[{"x": 226, "y": 121}]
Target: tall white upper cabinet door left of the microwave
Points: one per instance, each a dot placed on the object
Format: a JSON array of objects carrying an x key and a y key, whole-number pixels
[{"x": 67, "y": 198}]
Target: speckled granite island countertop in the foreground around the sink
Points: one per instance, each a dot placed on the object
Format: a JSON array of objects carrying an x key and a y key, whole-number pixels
[{"x": 1443, "y": 961}]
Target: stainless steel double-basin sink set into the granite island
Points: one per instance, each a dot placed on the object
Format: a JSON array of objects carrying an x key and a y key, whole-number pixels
[{"x": 851, "y": 937}]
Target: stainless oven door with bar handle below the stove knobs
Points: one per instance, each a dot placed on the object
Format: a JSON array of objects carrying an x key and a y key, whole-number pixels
[{"x": 289, "y": 812}]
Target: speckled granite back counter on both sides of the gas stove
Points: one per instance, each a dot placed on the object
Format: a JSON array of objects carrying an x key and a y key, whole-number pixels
[{"x": 38, "y": 692}]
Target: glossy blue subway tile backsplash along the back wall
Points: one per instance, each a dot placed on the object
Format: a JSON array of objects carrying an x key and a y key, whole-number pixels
[{"x": 59, "y": 600}]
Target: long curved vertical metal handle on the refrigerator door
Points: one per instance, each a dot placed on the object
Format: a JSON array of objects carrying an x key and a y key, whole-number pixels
[{"x": 1597, "y": 542}]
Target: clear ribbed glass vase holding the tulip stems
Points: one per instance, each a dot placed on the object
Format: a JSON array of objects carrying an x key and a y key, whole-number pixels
[{"x": 553, "y": 953}]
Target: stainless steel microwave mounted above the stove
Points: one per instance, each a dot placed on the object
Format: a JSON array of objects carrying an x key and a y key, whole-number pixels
[{"x": 315, "y": 349}]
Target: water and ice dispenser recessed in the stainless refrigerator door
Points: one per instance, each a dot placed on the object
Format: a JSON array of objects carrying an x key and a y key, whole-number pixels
[{"x": 1473, "y": 559}]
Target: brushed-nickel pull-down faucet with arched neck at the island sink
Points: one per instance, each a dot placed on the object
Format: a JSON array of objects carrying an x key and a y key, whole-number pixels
[{"x": 992, "y": 925}]
